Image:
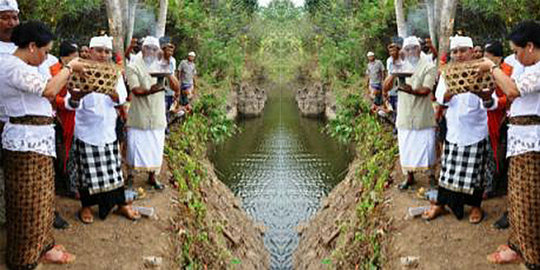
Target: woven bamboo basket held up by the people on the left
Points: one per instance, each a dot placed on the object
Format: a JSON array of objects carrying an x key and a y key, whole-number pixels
[{"x": 98, "y": 77}]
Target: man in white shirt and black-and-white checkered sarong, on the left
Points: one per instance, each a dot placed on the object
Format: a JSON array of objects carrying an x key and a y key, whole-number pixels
[{"x": 95, "y": 146}]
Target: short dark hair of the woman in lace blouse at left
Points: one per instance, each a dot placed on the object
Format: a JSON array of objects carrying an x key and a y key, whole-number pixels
[{"x": 32, "y": 31}]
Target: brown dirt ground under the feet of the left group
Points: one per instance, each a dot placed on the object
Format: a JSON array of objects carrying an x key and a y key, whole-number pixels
[{"x": 115, "y": 243}]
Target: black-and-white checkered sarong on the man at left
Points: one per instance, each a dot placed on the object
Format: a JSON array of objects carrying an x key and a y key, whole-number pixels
[{"x": 98, "y": 167}]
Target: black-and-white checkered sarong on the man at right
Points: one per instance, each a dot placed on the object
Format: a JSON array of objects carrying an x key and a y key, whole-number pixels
[{"x": 464, "y": 167}]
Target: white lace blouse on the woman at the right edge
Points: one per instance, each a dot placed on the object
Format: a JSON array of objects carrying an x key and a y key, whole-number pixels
[{"x": 523, "y": 139}]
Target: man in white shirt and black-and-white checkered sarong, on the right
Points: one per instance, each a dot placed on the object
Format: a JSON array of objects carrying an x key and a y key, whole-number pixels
[{"x": 464, "y": 161}]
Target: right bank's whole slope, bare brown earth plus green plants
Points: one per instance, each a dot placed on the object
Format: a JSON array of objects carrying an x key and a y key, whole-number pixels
[{"x": 348, "y": 231}]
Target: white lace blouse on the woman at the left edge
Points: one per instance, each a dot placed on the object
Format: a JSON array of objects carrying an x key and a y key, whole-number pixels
[{"x": 22, "y": 94}]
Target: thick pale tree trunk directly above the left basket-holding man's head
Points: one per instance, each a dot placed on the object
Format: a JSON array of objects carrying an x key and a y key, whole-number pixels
[{"x": 116, "y": 23}]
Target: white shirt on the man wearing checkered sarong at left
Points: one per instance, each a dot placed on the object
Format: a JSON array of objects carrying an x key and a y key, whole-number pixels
[{"x": 95, "y": 120}]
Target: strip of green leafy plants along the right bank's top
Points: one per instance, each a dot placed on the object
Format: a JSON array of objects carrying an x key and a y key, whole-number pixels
[{"x": 377, "y": 151}]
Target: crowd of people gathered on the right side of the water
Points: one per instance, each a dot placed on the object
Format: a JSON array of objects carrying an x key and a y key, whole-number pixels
[{"x": 490, "y": 138}]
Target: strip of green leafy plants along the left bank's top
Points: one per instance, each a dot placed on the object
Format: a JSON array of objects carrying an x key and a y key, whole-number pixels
[{"x": 185, "y": 151}]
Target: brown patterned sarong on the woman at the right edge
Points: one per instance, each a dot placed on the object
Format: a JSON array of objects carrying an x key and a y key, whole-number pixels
[{"x": 524, "y": 198}]
